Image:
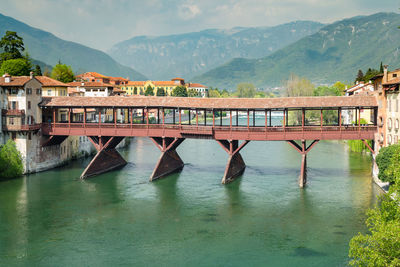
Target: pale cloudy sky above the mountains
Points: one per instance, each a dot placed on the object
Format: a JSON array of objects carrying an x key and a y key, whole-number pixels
[{"x": 102, "y": 23}]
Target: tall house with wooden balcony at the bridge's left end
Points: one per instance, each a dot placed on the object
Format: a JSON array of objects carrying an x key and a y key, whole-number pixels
[{"x": 21, "y": 122}]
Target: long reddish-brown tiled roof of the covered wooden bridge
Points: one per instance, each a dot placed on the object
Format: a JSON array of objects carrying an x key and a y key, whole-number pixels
[{"x": 210, "y": 103}]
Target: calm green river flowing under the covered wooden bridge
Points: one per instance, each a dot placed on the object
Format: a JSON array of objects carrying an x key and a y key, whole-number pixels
[{"x": 189, "y": 219}]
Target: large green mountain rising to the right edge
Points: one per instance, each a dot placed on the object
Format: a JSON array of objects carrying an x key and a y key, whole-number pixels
[{"x": 336, "y": 52}]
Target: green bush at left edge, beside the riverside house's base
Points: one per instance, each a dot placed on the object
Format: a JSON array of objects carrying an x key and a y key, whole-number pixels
[{"x": 10, "y": 161}]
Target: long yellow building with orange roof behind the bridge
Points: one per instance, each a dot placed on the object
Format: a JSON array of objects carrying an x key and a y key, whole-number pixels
[{"x": 139, "y": 87}]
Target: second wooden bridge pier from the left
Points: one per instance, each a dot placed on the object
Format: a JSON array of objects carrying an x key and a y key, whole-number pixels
[{"x": 169, "y": 161}]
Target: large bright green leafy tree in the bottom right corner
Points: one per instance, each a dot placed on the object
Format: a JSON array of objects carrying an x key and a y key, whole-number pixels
[{"x": 381, "y": 246}]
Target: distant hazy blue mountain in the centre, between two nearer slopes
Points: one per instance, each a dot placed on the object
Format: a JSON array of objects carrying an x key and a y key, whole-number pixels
[{"x": 186, "y": 55}]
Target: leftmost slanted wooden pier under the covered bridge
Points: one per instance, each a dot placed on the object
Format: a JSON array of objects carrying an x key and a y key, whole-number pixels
[{"x": 107, "y": 157}]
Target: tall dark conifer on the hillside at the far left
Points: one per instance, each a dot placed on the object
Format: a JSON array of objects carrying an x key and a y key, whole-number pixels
[{"x": 12, "y": 46}]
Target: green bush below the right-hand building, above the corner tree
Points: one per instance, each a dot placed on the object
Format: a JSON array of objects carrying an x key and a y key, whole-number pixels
[{"x": 384, "y": 161}]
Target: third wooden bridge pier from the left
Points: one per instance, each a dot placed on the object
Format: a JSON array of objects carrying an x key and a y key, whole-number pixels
[{"x": 235, "y": 166}]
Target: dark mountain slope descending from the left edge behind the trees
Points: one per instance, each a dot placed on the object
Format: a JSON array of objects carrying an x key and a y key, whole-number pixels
[{"x": 49, "y": 49}]
